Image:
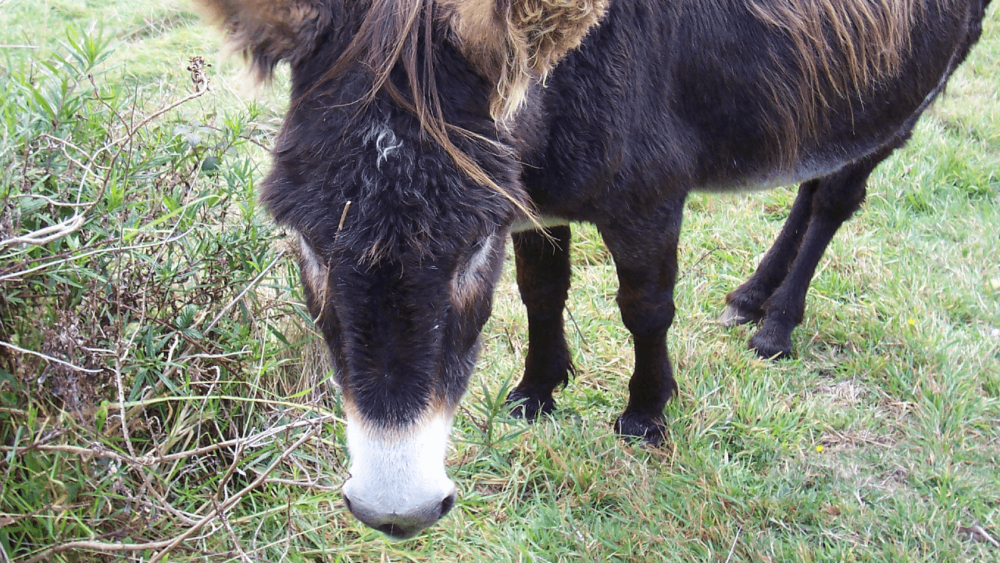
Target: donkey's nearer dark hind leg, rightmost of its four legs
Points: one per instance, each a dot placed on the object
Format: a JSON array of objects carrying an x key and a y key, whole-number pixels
[{"x": 835, "y": 198}]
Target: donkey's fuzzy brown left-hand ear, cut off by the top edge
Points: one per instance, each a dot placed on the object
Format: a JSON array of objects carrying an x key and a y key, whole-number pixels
[{"x": 269, "y": 31}]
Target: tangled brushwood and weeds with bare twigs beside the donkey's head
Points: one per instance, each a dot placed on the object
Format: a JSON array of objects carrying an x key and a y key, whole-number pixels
[{"x": 139, "y": 287}]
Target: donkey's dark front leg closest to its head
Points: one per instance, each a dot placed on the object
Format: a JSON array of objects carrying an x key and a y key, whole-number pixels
[{"x": 543, "y": 273}]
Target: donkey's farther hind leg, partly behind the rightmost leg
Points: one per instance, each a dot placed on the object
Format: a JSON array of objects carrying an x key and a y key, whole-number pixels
[{"x": 746, "y": 303}]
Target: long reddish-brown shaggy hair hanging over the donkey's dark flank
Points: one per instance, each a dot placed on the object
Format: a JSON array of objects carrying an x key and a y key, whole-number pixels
[{"x": 844, "y": 48}]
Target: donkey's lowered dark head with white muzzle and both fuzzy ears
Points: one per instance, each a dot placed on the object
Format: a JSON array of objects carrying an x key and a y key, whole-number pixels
[{"x": 392, "y": 168}]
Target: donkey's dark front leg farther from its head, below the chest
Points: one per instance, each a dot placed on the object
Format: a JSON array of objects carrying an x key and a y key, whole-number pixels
[{"x": 647, "y": 271}]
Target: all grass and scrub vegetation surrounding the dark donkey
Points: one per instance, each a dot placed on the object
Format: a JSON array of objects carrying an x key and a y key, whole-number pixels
[{"x": 174, "y": 306}]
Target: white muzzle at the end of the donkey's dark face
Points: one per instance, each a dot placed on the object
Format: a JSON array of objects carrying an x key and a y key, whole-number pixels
[{"x": 398, "y": 474}]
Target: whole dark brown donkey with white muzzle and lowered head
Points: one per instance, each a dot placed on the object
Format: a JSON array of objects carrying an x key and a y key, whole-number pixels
[{"x": 422, "y": 132}]
